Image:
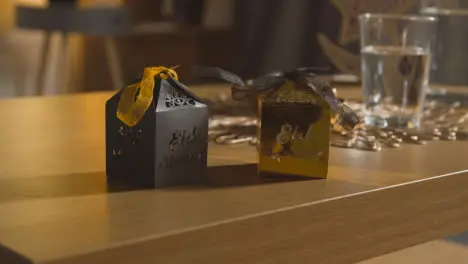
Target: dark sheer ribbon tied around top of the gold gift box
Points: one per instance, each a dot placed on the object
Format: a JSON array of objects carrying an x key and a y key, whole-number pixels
[{"x": 304, "y": 77}]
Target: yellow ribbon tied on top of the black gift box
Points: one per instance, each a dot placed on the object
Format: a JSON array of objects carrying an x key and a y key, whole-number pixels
[{"x": 136, "y": 98}]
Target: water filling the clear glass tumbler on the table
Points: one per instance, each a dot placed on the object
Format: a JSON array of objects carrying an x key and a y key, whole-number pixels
[{"x": 394, "y": 83}]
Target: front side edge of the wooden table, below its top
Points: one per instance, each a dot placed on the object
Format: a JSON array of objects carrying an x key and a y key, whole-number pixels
[{"x": 313, "y": 231}]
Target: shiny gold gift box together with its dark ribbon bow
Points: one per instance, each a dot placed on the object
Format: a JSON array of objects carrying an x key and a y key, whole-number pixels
[{"x": 294, "y": 111}]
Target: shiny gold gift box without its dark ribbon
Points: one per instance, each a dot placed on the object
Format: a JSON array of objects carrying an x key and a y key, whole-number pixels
[{"x": 293, "y": 132}]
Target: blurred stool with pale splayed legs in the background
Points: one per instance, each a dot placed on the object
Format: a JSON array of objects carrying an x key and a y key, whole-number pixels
[{"x": 65, "y": 18}]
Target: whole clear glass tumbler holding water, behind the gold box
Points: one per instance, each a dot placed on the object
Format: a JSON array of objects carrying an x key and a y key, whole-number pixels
[{"x": 395, "y": 61}]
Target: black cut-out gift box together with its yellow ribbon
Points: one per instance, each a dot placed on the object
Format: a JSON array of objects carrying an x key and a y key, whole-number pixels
[{"x": 156, "y": 132}]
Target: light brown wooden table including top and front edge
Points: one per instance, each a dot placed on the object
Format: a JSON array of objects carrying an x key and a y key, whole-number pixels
[{"x": 56, "y": 207}]
